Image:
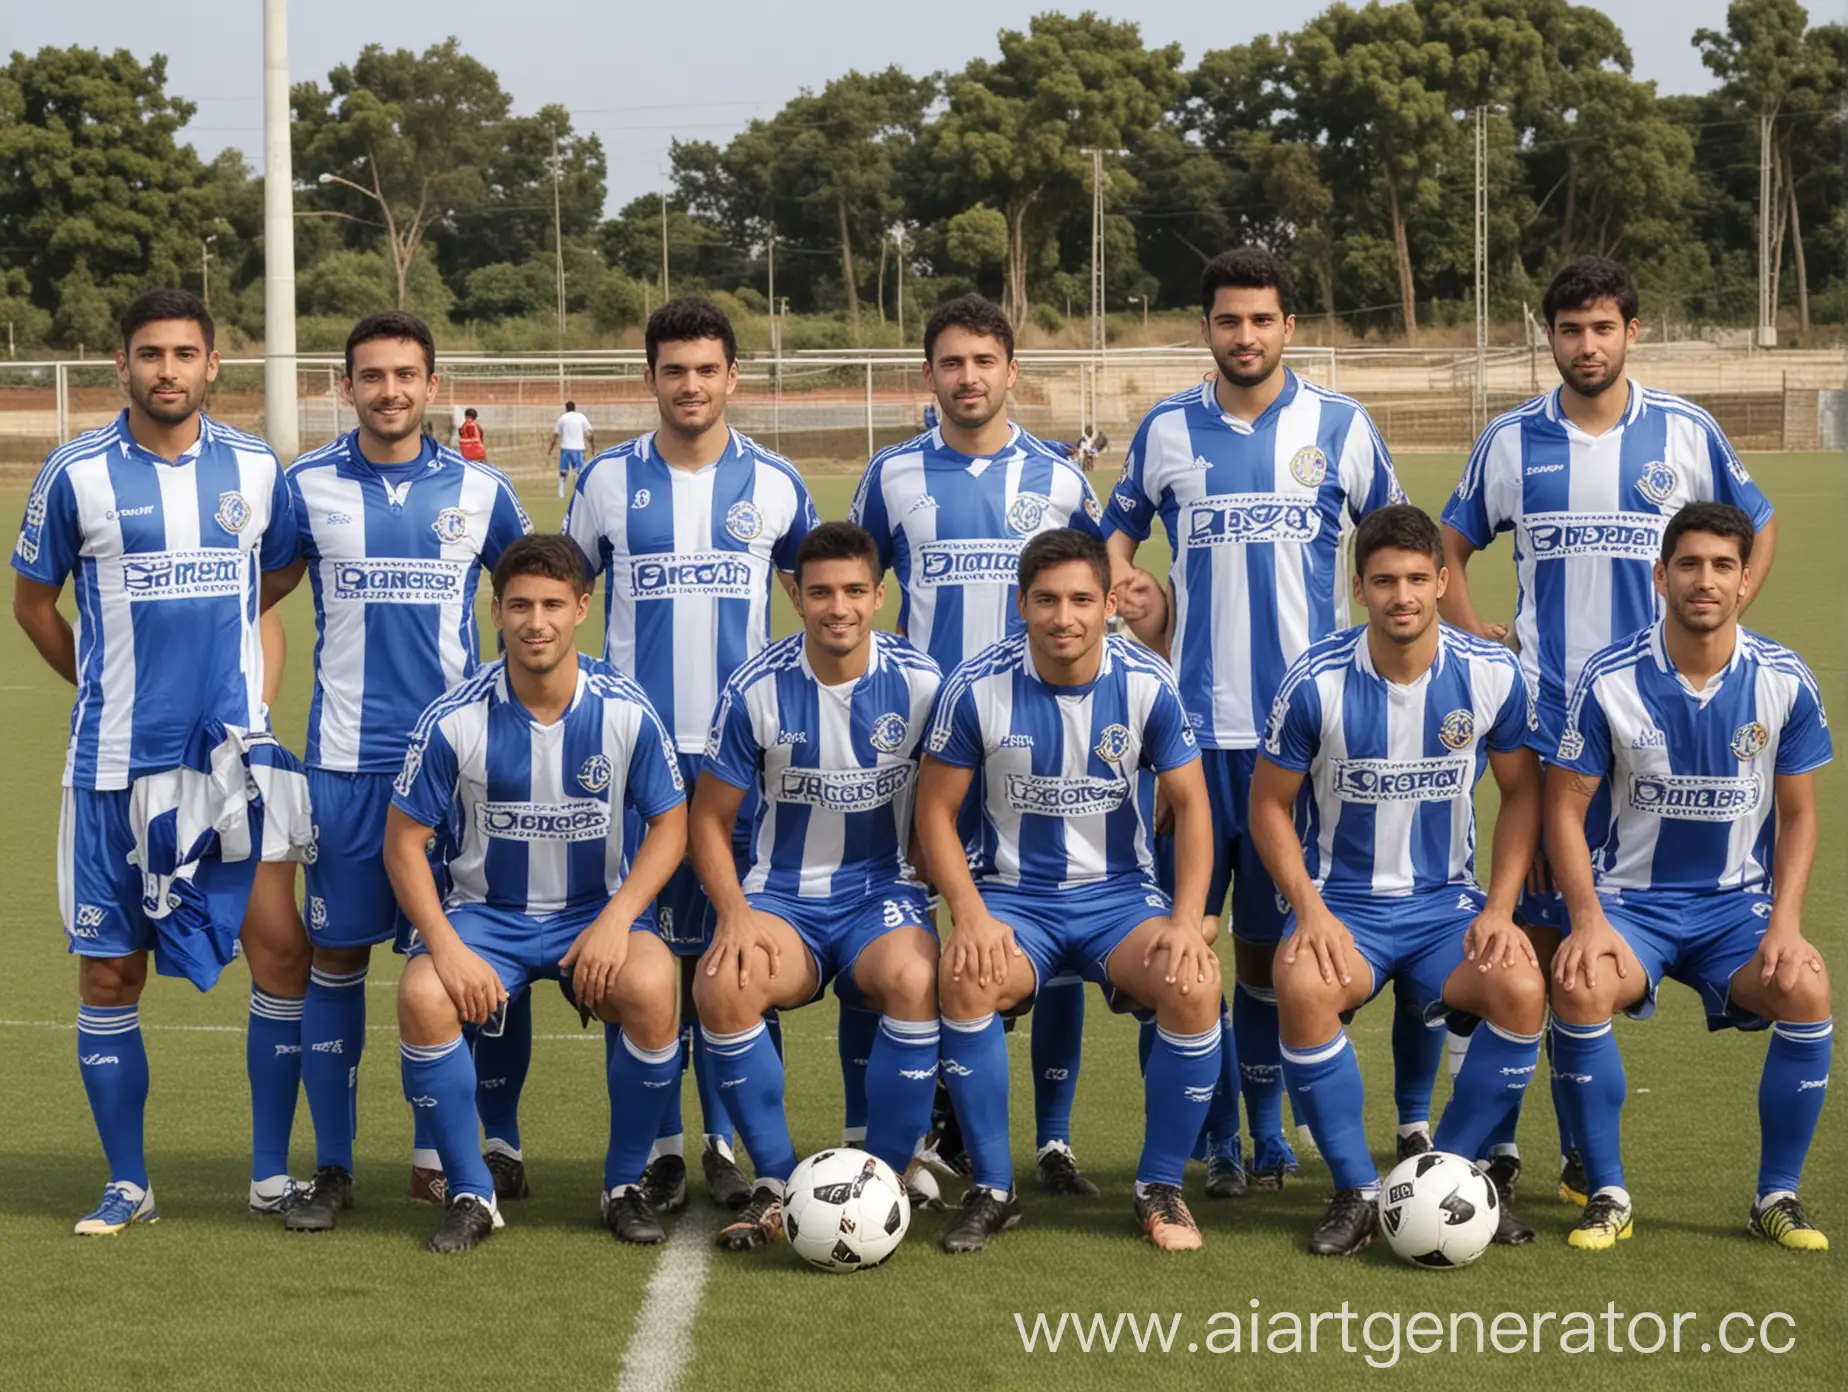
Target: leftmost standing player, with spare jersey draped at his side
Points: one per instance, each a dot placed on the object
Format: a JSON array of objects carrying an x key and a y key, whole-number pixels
[{"x": 165, "y": 519}]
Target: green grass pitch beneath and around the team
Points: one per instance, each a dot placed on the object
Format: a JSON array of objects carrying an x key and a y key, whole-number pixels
[{"x": 219, "y": 1299}]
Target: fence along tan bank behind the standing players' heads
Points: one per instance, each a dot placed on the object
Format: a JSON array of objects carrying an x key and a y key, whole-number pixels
[{"x": 834, "y": 409}]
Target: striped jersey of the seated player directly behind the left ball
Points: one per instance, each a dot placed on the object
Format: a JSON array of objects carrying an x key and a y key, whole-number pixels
[{"x": 834, "y": 766}]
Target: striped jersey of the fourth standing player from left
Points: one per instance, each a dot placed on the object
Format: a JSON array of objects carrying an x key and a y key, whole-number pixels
[{"x": 951, "y": 528}]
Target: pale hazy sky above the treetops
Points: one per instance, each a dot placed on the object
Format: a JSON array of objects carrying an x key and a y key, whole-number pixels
[{"x": 646, "y": 75}]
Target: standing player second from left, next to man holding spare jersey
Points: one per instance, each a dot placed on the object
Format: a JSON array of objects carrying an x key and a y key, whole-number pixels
[{"x": 395, "y": 533}]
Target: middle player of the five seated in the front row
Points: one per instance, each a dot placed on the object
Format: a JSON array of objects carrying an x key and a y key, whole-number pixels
[{"x": 1064, "y": 726}]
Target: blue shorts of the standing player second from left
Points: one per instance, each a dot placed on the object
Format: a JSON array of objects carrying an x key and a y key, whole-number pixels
[{"x": 348, "y": 896}]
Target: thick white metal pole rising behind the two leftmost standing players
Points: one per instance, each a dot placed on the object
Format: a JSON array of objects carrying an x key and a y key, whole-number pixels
[{"x": 282, "y": 413}]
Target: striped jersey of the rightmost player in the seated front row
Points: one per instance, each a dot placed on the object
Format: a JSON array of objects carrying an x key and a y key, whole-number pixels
[{"x": 1692, "y": 774}]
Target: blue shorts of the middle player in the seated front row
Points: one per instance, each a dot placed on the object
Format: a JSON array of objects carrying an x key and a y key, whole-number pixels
[{"x": 1073, "y": 933}]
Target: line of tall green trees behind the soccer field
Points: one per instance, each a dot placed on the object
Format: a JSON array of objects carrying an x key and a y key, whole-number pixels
[{"x": 1348, "y": 145}]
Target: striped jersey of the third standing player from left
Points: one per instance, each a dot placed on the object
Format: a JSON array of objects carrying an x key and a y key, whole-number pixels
[{"x": 687, "y": 567}]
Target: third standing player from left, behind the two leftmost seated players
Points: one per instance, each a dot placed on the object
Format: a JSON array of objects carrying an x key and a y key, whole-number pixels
[{"x": 687, "y": 526}]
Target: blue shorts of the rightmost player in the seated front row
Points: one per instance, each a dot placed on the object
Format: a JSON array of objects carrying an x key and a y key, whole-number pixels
[{"x": 1697, "y": 940}]
